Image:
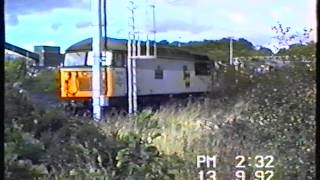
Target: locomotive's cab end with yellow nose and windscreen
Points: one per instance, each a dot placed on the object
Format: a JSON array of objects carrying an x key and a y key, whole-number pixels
[{"x": 75, "y": 76}]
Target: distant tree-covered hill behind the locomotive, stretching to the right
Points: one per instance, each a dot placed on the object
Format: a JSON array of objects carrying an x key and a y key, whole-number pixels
[{"x": 219, "y": 49}]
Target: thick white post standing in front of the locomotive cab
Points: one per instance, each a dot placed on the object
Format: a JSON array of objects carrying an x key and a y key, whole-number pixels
[{"x": 96, "y": 70}]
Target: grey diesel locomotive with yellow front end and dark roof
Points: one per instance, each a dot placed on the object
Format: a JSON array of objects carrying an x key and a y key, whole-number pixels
[{"x": 173, "y": 73}]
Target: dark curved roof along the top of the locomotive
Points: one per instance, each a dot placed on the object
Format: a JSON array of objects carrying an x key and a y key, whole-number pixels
[{"x": 121, "y": 44}]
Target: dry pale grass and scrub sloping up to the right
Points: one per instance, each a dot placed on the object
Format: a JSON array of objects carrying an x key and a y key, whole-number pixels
[{"x": 275, "y": 116}]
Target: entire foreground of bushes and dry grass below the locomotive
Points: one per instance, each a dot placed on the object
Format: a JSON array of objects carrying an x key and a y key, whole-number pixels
[{"x": 274, "y": 116}]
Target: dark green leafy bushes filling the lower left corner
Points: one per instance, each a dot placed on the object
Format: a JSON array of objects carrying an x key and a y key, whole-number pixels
[{"x": 46, "y": 144}]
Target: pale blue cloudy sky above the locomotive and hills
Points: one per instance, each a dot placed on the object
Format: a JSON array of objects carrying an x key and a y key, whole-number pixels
[{"x": 64, "y": 22}]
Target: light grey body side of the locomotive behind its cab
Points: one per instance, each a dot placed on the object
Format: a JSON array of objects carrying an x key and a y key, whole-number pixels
[{"x": 169, "y": 76}]
